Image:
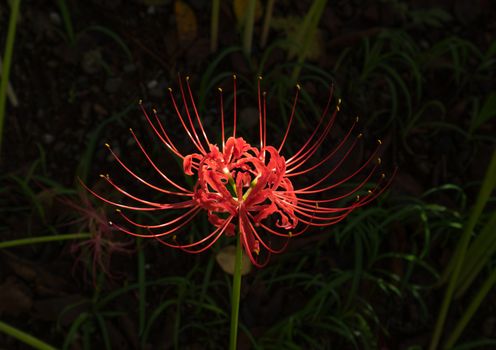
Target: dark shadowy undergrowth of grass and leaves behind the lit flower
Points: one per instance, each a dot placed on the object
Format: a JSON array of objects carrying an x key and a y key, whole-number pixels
[{"x": 419, "y": 75}]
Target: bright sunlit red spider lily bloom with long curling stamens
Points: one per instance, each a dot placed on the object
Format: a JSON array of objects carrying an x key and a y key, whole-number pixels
[{"x": 249, "y": 189}]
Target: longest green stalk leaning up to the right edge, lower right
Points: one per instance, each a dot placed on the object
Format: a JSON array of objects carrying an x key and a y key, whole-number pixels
[{"x": 485, "y": 192}]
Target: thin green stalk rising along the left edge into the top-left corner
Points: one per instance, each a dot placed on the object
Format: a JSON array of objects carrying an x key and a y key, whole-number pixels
[{"x": 7, "y": 58}]
